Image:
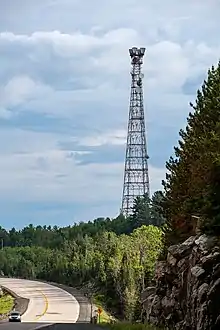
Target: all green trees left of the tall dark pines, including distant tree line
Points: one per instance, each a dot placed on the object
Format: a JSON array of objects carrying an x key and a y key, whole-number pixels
[{"x": 112, "y": 260}]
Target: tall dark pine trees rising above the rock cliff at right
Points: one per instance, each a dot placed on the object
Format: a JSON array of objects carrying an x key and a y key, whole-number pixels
[{"x": 190, "y": 184}]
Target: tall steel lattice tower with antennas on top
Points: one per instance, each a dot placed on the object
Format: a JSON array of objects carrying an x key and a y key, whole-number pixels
[{"x": 136, "y": 178}]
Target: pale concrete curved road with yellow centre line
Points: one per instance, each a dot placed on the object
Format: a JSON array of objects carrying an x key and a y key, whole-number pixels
[{"x": 48, "y": 304}]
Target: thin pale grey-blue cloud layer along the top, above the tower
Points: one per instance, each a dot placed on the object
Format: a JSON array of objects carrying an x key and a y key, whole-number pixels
[{"x": 170, "y": 18}]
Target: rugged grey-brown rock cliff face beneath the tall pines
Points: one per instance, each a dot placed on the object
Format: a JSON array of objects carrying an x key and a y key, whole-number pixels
[{"x": 187, "y": 291}]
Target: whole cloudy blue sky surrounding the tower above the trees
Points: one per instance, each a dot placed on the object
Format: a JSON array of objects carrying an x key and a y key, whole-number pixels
[{"x": 64, "y": 97}]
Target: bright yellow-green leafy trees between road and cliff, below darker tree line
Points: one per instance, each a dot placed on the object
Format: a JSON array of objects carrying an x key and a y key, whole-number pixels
[{"x": 118, "y": 266}]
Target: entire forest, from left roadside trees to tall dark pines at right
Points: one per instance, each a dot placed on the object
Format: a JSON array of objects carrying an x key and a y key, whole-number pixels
[{"x": 115, "y": 258}]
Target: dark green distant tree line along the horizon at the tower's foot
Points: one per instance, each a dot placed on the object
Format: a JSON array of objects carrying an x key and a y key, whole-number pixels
[{"x": 145, "y": 212}]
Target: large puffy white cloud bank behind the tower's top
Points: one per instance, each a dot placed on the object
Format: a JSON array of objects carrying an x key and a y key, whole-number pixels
[{"x": 68, "y": 72}]
